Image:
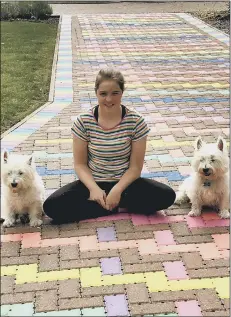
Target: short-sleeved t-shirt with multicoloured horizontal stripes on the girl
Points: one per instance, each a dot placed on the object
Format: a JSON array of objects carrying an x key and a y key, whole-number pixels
[{"x": 109, "y": 150}]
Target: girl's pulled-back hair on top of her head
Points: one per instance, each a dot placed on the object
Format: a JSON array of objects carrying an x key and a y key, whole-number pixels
[{"x": 110, "y": 74}]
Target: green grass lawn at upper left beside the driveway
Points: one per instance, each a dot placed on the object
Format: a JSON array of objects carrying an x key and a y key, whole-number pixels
[{"x": 27, "y": 51}]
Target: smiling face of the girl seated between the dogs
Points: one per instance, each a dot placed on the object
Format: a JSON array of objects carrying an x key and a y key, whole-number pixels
[{"x": 109, "y": 94}]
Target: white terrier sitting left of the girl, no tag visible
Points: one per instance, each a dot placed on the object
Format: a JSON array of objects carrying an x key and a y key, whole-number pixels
[{"x": 22, "y": 190}]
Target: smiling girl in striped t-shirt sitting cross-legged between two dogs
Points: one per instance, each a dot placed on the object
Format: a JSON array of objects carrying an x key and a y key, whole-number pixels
[{"x": 109, "y": 143}]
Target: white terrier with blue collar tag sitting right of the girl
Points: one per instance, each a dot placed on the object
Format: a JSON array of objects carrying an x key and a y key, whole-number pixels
[{"x": 208, "y": 185}]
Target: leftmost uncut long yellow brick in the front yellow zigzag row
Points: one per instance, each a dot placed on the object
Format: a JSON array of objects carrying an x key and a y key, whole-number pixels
[{"x": 58, "y": 275}]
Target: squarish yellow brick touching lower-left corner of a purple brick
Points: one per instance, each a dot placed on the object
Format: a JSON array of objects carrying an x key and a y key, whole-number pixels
[{"x": 90, "y": 277}]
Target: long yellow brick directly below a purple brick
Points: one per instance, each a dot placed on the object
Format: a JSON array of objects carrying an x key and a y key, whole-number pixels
[{"x": 123, "y": 279}]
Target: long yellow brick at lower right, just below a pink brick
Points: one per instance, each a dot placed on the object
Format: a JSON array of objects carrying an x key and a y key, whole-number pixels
[{"x": 190, "y": 284}]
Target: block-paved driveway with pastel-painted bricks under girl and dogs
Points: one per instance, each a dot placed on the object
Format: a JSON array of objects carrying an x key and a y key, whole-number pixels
[{"x": 177, "y": 76}]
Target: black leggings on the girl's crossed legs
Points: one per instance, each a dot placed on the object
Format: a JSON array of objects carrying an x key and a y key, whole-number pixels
[{"x": 143, "y": 196}]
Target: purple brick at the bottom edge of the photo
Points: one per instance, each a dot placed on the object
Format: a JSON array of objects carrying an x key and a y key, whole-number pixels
[{"x": 116, "y": 305}]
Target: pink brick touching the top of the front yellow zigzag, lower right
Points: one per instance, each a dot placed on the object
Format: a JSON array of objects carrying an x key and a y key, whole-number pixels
[{"x": 175, "y": 270}]
